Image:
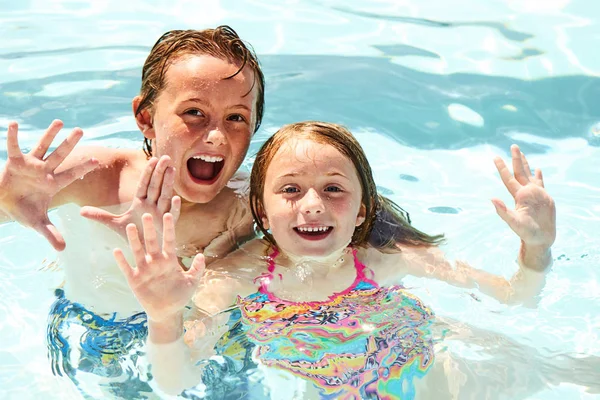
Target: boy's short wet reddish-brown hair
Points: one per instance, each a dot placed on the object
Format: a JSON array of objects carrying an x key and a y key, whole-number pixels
[{"x": 222, "y": 42}]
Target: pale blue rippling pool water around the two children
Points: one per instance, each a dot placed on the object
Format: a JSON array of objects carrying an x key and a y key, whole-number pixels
[{"x": 432, "y": 91}]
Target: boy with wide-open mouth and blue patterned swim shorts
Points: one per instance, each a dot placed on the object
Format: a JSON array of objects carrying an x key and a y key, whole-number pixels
[{"x": 201, "y": 100}]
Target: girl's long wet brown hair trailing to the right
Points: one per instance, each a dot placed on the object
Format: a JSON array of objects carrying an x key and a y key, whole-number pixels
[{"x": 386, "y": 224}]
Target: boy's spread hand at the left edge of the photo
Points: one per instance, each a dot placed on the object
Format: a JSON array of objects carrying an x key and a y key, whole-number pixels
[{"x": 29, "y": 182}]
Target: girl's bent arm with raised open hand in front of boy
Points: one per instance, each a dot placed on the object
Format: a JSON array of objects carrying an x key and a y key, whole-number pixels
[{"x": 164, "y": 289}]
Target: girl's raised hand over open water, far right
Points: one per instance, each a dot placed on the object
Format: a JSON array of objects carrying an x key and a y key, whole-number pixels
[{"x": 534, "y": 216}]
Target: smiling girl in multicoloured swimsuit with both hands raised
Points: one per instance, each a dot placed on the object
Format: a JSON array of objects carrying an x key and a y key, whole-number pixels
[{"x": 320, "y": 295}]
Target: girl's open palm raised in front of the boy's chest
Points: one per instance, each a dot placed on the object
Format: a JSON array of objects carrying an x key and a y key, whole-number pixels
[{"x": 159, "y": 283}]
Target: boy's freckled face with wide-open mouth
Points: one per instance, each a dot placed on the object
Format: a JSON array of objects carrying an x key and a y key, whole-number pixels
[{"x": 203, "y": 122}]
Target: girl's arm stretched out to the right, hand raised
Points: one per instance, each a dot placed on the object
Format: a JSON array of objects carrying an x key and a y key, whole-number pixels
[{"x": 533, "y": 220}]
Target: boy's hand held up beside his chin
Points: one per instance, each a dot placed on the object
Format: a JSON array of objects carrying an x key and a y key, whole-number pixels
[{"x": 154, "y": 196}]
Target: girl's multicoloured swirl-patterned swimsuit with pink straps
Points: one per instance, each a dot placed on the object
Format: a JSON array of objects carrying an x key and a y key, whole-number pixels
[{"x": 365, "y": 342}]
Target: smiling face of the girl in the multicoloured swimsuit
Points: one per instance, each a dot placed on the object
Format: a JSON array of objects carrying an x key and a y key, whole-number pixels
[{"x": 312, "y": 199}]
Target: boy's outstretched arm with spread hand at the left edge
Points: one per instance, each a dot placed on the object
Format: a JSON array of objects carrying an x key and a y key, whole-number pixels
[{"x": 33, "y": 183}]
